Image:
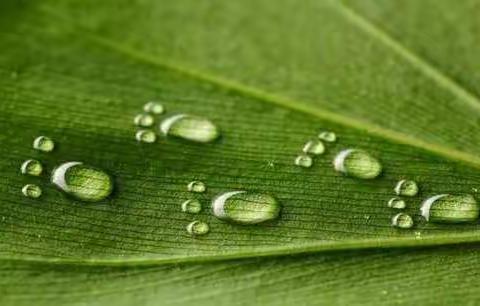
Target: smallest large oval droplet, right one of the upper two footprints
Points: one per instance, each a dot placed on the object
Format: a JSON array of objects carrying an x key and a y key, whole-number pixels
[{"x": 357, "y": 163}]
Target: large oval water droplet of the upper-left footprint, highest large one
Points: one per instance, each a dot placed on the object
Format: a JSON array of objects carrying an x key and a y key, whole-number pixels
[{"x": 190, "y": 127}]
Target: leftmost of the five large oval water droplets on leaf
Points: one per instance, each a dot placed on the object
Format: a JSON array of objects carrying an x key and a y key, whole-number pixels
[{"x": 82, "y": 182}]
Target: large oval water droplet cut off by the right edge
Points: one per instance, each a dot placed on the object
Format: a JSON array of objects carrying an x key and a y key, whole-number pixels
[{"x": 446, "y": 208}]
